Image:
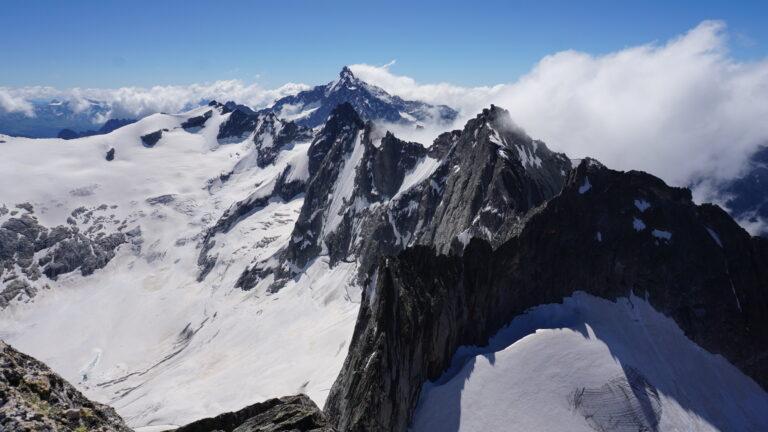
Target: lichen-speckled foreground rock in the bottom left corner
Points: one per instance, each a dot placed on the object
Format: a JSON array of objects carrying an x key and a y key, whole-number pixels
[{"x": 34, "y": 398}]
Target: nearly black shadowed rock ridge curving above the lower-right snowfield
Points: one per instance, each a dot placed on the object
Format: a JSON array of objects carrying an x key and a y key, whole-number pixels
[{"x": 422, "y": 305}]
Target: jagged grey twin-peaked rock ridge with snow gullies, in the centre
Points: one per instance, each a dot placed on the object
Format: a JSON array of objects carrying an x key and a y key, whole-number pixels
[{"x": 486, "y": 178}]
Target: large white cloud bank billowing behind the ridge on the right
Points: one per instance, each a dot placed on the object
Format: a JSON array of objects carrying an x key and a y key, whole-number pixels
[{"x": 681, "y": 110}]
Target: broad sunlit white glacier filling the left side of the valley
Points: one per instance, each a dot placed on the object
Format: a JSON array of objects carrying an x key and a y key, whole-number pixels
[{"x": 142, "y": 334}]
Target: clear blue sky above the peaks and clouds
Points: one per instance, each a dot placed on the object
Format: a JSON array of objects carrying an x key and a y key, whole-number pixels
[{"x": 141, "y": 43}]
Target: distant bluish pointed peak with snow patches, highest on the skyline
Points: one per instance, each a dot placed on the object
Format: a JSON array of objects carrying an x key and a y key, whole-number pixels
[{"x": 312, "y": 107}]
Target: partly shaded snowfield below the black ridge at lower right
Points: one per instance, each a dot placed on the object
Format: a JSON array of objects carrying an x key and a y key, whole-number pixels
[{"x": 591, "y": 364}]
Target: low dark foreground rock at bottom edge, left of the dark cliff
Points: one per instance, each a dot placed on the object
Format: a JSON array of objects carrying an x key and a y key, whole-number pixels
[{"x": 291, "y": 413}]
